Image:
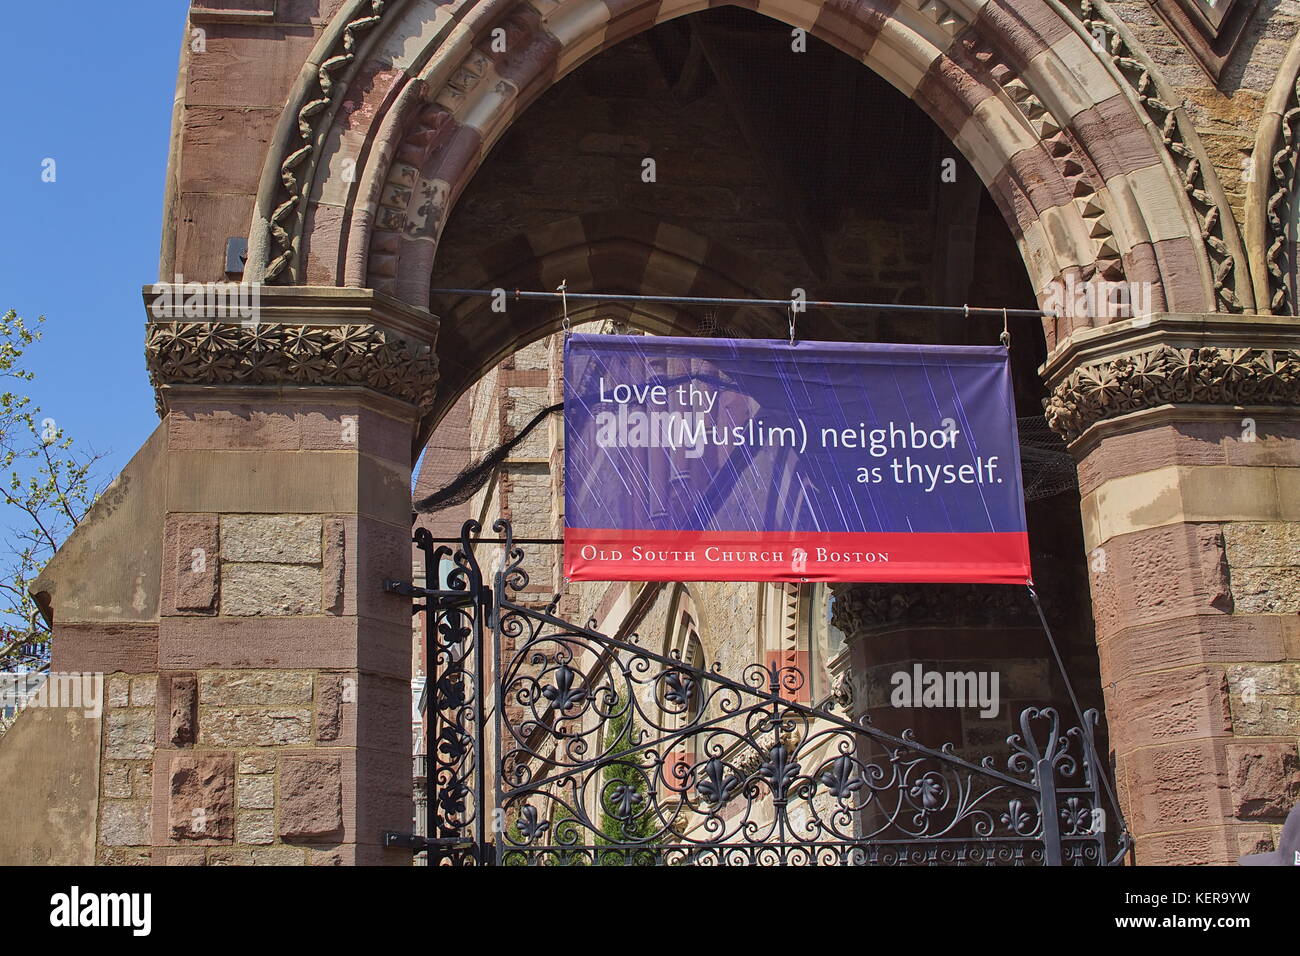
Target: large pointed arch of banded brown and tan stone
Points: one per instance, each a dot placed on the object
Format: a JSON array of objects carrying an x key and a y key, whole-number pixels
[{"x": 1063, "y": 116}]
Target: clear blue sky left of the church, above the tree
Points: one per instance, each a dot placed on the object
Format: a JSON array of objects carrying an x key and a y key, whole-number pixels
[{"x": 94, "y": 93}]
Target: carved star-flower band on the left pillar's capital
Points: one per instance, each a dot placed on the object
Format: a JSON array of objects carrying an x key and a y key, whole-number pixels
[{"x": 291, "y": 354}]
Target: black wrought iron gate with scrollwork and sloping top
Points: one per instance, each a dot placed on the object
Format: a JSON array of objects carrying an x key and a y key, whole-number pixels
[{"x": 553, "y": 745}]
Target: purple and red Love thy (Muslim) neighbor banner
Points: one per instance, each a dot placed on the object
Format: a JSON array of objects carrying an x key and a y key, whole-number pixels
[{"x": 759, "y": 461}]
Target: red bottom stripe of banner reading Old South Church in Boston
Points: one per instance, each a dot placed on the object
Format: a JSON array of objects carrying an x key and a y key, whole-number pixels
[{"x": 596, "y": 555}]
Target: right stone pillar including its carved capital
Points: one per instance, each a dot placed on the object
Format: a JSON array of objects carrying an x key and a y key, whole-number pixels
[{"x": 1189, "y": 448}]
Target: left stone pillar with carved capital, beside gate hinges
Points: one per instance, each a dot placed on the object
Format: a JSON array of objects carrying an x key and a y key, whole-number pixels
[{"x": 268, "y": 721}]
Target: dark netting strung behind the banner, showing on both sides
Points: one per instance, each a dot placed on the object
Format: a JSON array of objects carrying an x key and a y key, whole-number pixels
[{"x": 1046, "y": 465}]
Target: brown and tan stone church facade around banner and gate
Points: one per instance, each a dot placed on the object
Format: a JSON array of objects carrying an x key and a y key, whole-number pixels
[{"x": 1129, "y": 168}]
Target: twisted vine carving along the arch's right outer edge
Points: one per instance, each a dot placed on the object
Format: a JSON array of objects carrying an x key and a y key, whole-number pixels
[{"x": 1177, "y": 135}]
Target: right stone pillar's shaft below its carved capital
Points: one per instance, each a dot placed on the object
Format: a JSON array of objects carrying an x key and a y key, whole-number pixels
[{"x": 1191, "y": 529}]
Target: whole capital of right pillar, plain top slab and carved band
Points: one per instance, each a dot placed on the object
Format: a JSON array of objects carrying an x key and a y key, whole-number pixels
[{"x": 1172, "y": 361}]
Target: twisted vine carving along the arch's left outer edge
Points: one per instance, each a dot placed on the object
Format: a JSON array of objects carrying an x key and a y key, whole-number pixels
[{"x": 318, "y": 97}]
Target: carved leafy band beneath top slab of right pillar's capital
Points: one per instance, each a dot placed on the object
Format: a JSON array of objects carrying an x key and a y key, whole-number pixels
[{"x": 1164, "y": 375}]
